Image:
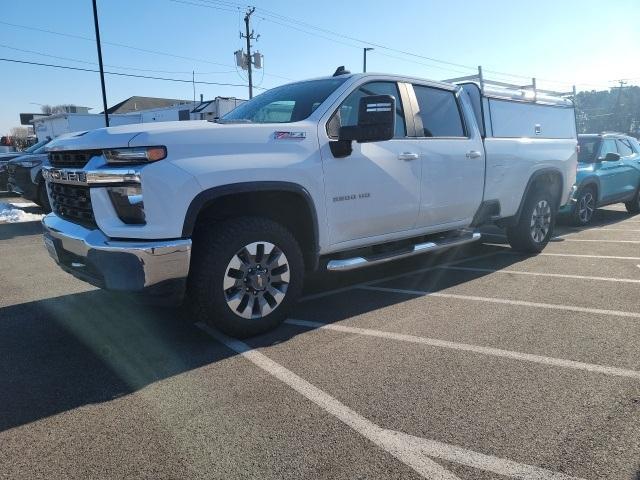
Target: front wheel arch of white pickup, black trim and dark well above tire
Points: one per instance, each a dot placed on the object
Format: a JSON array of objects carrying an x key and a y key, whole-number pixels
[{"x": 285, "y": 202}]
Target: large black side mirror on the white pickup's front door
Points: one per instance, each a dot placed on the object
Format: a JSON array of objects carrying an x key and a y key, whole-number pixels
[{"x": 376, "y": 120}]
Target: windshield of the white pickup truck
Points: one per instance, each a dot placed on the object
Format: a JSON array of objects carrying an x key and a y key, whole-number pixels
[{"x": 288, "y": 103}]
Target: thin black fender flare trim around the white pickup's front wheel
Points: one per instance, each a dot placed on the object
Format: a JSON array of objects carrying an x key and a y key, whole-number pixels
[{"x": 205, "y": 197}]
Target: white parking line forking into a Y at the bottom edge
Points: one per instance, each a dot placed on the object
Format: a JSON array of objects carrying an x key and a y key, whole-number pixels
[{"x": 415, "y": 452}]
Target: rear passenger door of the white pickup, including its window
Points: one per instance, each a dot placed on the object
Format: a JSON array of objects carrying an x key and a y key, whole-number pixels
[{"x": 452, "y": 154}]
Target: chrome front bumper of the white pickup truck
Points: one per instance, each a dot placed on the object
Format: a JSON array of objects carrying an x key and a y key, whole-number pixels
[{"x": 127, "y": 265}]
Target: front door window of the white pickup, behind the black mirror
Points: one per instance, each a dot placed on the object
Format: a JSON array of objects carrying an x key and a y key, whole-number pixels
[{"x": 347, "y": 113}]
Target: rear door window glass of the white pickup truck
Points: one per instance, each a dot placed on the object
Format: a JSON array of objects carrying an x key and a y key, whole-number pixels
[{"x": 439, "y": 112}]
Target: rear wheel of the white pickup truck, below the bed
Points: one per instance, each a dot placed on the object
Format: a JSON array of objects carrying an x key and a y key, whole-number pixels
[{"x": 535, "y": 225}]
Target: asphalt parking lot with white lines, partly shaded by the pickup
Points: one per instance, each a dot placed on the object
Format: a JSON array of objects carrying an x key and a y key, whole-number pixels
[{"x": 474, "y": 364}]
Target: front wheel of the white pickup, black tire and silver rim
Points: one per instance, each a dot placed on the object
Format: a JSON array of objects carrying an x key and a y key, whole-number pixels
[{"x": 246, "y": 274}]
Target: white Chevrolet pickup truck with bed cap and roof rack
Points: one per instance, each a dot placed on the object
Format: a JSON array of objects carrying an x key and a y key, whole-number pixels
[{"x": 338, "y": 172}]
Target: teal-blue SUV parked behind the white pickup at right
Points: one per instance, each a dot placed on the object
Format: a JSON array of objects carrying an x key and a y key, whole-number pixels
[{"x": 608, "y": 172}]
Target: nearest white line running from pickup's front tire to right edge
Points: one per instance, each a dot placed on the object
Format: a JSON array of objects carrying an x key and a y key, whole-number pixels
[{"x": 495, "y": 352}]
